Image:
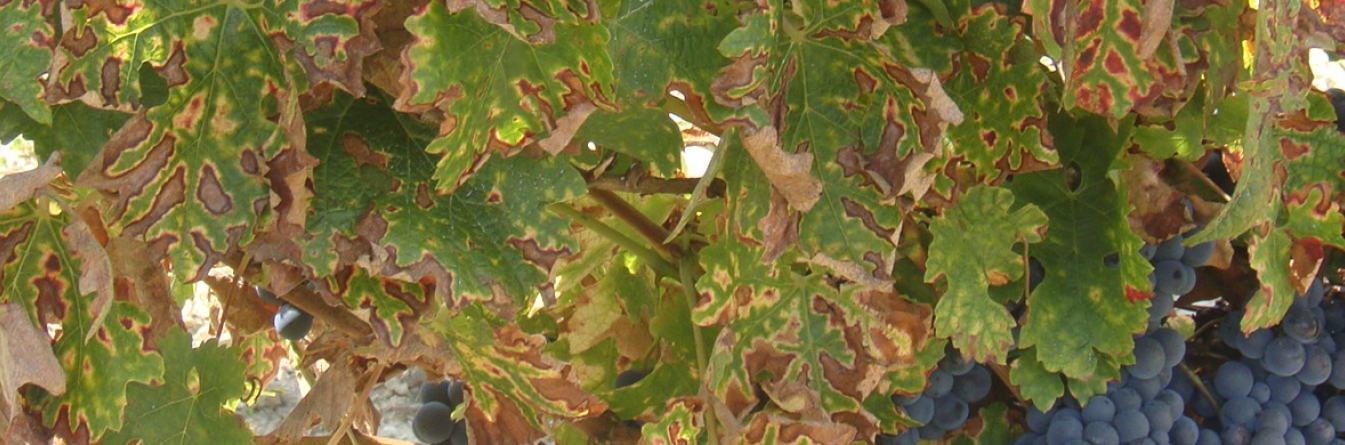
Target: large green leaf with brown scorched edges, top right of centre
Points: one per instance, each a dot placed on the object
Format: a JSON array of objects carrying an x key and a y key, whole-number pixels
[{"x": 839, "y": 127}]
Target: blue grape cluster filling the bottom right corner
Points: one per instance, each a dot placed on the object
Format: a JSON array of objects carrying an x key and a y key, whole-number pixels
[{"x": 1274, "y": 395}]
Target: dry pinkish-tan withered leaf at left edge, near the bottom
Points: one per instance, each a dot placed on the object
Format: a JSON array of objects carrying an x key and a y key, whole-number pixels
[{"x": 26, "y": 357}]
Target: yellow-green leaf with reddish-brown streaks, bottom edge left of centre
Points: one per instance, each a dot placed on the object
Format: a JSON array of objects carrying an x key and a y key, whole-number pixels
[{"x": 512, "y": 384}]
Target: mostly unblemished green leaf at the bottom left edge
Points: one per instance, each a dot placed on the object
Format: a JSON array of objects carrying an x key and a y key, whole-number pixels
[{"x": 189, "y": 404}]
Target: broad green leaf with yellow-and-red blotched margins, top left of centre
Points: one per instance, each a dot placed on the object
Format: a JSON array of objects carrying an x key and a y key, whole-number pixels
[{"x": 521, "y": 93}]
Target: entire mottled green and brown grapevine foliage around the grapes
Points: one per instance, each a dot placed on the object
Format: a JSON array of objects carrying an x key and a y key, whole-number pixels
[{"x": 496, "y": 192}]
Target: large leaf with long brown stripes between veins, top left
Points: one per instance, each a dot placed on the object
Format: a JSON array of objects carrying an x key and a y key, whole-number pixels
[{"x": 202, "y": 154}]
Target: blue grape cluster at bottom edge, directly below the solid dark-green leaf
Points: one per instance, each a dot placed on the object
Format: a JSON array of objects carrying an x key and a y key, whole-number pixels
[{"x": 1137, "y": 411}]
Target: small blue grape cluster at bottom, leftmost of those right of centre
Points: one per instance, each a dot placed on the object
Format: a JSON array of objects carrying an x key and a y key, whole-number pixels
[{"x": 945, "y": 405}]
